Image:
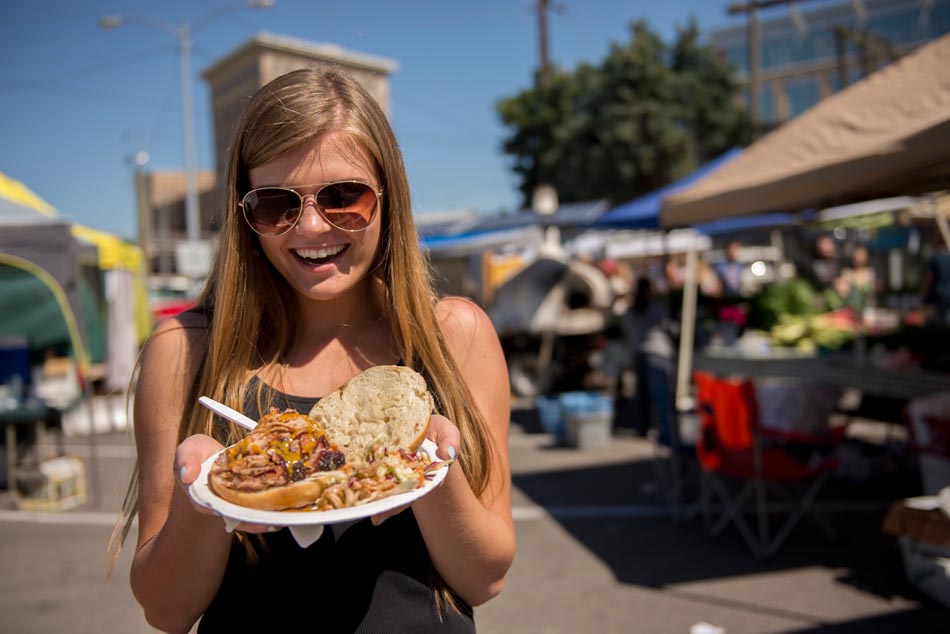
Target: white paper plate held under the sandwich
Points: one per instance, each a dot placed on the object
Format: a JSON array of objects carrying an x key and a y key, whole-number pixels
[{"x": 202, "y": 494}]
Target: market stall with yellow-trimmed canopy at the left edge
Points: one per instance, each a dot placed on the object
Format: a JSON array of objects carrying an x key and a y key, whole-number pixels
[{"x": 74, "y": 313}]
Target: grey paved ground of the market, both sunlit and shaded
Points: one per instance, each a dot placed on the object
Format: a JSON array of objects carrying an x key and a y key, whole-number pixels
[{"x": 596, "y": 552}]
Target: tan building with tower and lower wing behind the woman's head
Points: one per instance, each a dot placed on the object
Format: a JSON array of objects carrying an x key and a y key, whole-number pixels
[{"x": 232, "y": 80}]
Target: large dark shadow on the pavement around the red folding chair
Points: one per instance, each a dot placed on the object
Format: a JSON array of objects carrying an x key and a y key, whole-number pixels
[{"x": 627, "y": 528}]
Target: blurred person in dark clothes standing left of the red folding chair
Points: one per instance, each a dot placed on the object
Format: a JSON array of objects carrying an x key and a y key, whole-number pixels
[{"x": 645, "y": 328}]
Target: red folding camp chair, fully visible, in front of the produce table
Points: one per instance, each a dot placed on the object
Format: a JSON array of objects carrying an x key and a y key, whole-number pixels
[{"x": 746, "y": 467}]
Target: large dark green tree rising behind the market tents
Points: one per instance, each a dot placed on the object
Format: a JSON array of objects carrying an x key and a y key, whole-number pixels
[{"x": 647, "y": 114}]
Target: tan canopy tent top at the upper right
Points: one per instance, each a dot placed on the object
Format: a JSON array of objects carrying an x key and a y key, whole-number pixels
[{"x": 886, "y": 135}]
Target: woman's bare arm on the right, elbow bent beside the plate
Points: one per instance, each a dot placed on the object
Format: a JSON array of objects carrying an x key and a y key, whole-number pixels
[{"x": 470, "y": 539}]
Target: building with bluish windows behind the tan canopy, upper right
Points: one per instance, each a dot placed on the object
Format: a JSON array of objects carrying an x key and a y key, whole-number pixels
[{"x": 806, "y": 55}]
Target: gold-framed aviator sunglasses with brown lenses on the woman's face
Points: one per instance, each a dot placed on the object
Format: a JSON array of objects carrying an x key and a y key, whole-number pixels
[{"x": 347, "y": 205}]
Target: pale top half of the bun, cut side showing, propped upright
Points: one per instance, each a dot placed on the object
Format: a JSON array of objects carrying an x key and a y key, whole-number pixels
[{"x": 386, "y": 401}]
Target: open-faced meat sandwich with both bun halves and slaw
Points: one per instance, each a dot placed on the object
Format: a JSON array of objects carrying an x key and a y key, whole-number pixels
[{"x": 358, "y": 444}]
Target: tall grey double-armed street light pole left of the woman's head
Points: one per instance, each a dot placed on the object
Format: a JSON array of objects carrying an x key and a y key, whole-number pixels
[{"x": 182, "y": 34}]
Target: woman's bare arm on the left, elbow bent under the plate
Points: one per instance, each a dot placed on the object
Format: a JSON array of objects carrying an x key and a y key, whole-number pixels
[{"x": 181, "y": 554}]
